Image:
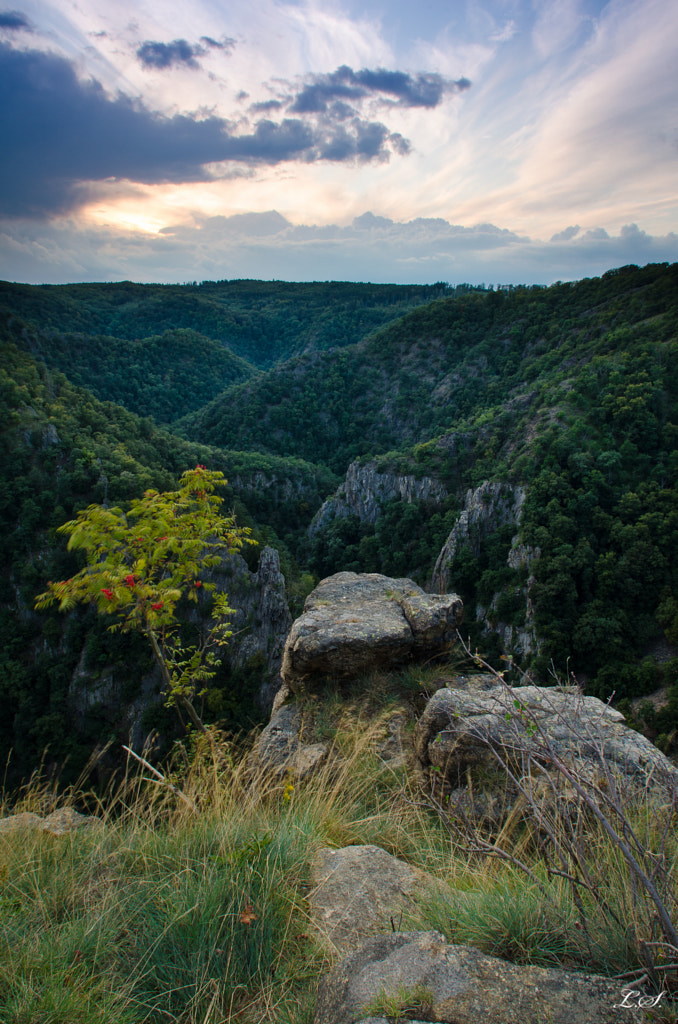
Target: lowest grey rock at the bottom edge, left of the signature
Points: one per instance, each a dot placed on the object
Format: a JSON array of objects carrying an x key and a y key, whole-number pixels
[{"x": 461, "y": 986}]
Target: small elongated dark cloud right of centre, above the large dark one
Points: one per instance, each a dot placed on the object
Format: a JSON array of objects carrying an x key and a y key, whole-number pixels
[{"x": 391, "y": 87}]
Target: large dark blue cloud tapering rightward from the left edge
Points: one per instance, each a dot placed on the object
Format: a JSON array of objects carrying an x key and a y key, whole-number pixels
[{"x": 59, "y": 133}]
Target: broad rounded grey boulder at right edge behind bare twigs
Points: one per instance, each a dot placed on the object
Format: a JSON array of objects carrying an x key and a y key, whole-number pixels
[{"x": 460, "y": 728}]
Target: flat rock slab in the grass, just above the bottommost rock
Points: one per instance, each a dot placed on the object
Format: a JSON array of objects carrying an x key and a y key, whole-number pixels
[{"x": 361, "y": 891}]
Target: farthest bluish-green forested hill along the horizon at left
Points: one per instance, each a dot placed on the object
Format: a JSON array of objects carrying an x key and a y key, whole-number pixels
[{"x": 262, "y": 322}]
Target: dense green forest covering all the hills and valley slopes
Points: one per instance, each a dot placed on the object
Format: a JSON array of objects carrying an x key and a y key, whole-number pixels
[{"x": 569, "y": 392}]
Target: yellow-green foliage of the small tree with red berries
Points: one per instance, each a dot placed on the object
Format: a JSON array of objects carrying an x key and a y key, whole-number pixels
[{"x": 144, "y": 563}]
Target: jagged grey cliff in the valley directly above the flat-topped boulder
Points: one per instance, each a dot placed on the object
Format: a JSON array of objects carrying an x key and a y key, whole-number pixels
[{"x": 366, "y": 488}]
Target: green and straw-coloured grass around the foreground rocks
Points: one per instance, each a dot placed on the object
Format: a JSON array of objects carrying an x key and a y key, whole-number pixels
[{"x": 168, "y": 916}]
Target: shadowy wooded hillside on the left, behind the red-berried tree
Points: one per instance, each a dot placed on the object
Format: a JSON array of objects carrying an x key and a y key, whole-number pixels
[{"x": 61, "y": 450}]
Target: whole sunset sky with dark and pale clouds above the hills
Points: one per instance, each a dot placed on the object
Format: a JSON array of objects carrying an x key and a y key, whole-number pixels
[{"x": 505, "y": 142}]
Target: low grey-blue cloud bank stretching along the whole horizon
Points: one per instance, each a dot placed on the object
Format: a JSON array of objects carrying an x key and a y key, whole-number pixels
[{"x": 267, "y": 246}]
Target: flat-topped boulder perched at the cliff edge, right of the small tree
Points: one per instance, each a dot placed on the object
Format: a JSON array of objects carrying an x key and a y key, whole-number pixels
[{"x": 354, "y": 623}]
